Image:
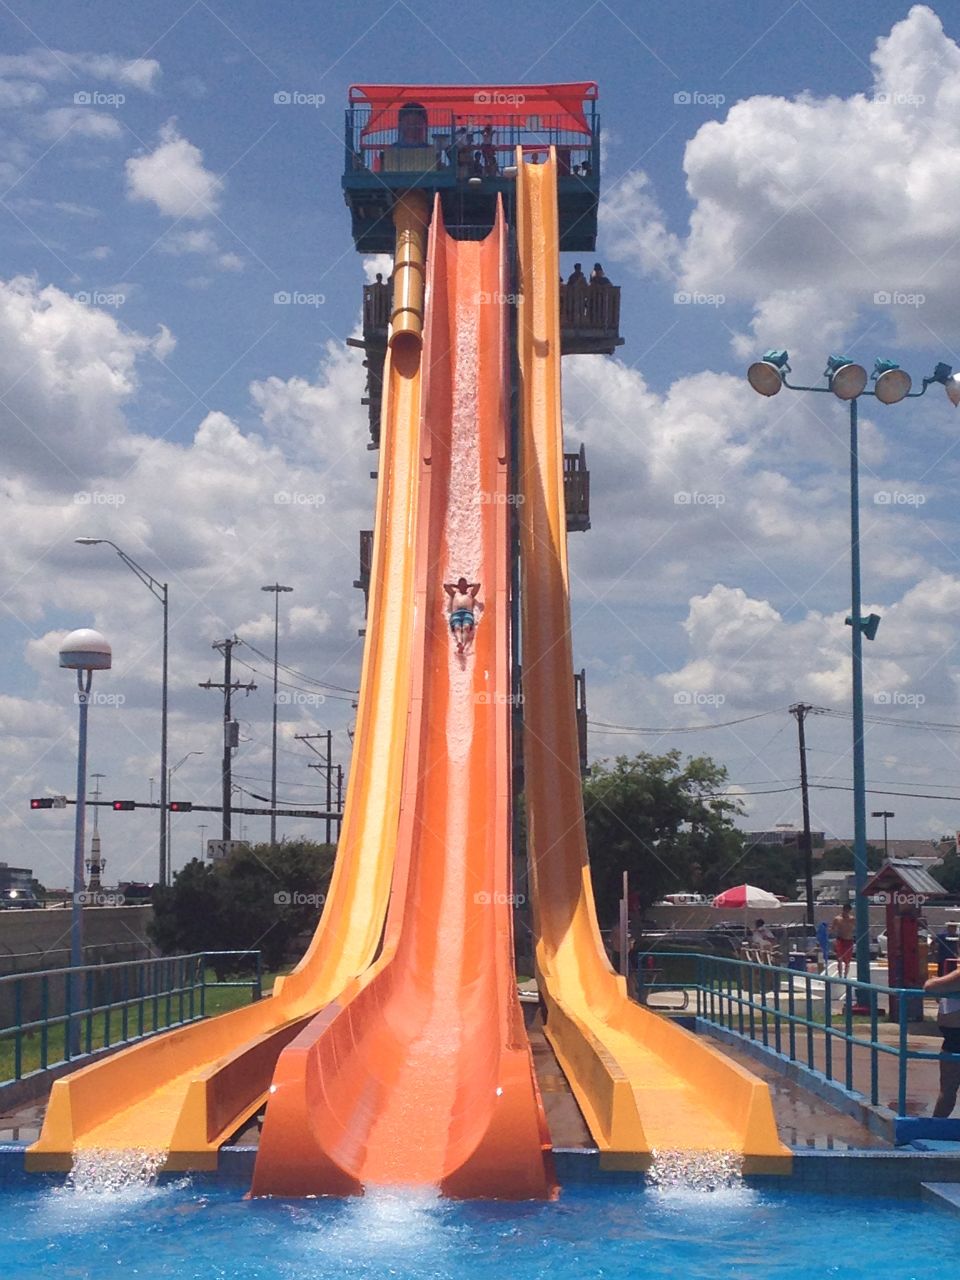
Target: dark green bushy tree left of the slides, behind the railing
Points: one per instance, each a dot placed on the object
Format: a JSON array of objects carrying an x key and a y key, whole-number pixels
[{"x": 262, "y": 898}]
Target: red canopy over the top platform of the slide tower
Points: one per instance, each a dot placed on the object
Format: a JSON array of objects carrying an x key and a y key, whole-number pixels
[{"x": 506, "y": 102}]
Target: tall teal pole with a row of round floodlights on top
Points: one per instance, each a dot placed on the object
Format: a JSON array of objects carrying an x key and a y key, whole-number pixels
[{"x": 848, "y": 382}]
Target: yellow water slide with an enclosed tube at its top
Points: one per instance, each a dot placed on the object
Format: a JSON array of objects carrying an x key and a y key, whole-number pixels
[{"x": 188, "y": 1091}]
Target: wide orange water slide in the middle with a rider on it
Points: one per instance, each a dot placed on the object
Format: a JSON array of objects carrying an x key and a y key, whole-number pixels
[{"x": 420, "y": 1072}]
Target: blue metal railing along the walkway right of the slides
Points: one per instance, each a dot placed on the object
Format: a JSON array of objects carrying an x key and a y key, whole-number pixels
[{"x": 760, "y": 1003}]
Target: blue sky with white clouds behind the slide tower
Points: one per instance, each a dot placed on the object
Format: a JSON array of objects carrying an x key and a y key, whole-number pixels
[{"x": 148, "y": 364}]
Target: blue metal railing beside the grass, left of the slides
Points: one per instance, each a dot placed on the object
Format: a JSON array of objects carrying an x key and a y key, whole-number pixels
[{"x": 121, "y": 1003}]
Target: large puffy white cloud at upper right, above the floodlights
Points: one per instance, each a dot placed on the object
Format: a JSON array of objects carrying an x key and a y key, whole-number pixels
[{"x": 828, "y": 216}]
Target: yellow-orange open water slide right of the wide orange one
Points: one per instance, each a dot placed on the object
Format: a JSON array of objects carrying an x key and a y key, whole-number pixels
[{"x": 643, "y": 1082}]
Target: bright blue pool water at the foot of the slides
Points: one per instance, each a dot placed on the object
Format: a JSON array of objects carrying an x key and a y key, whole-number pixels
[{"x": 185, "y": 1231}]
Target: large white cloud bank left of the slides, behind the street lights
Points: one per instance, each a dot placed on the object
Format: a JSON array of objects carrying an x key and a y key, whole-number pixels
[{"x": 216, "y": 515}]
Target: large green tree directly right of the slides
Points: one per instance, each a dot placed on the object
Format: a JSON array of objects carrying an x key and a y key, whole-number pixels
[{"x": 664, "y": 821}]
